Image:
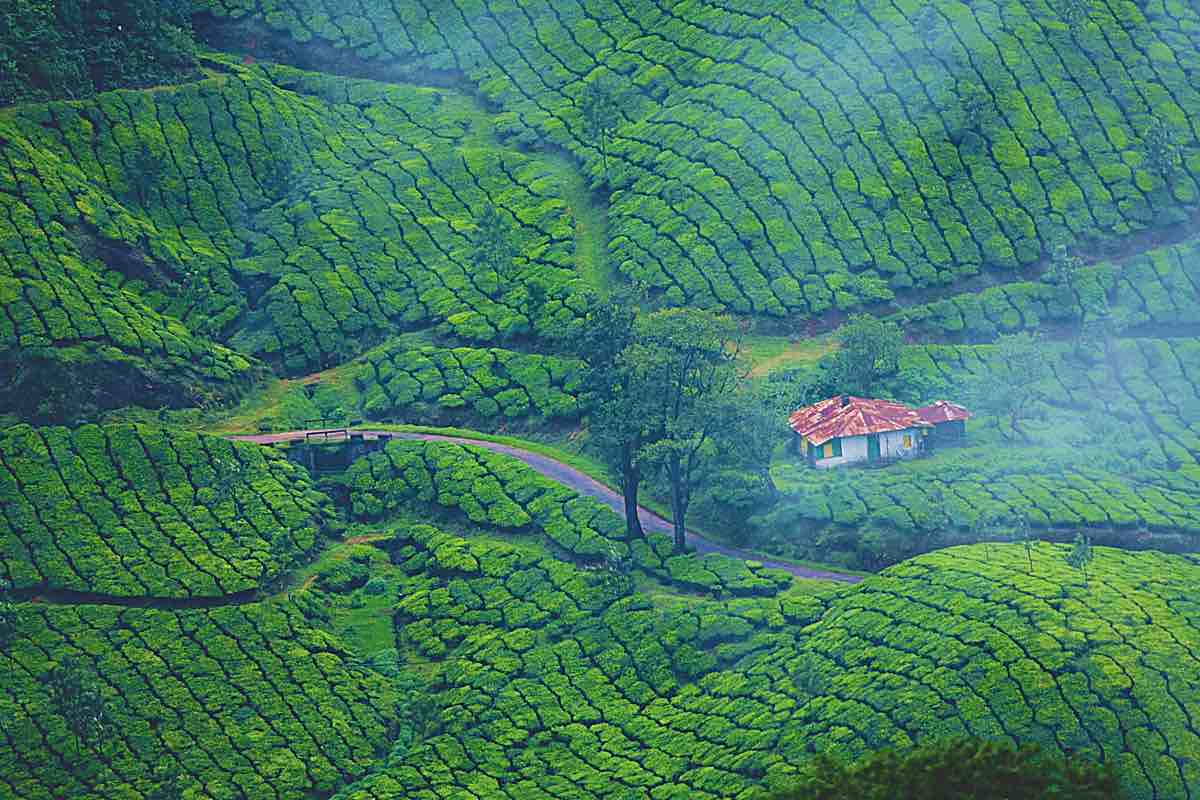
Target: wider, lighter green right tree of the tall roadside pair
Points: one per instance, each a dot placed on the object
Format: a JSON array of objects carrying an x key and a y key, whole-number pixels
[{"x": 683, "y": 365}]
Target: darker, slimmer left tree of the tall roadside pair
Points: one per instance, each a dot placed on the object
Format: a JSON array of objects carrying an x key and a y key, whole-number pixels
[{"x": 615, "y": 413}]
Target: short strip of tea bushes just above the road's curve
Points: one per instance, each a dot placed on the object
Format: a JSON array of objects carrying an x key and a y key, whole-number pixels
[{"x": 440, "y": 383}]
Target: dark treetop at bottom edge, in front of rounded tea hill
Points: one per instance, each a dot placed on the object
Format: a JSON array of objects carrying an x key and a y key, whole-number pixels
[{"x": 959, "y": 768}]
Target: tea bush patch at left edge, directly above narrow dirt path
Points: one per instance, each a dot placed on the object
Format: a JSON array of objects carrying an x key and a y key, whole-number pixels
[{"x": 136, "y": 512}]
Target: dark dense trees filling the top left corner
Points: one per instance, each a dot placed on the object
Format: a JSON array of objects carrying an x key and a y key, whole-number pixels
[{"x": 75, "y": 49}]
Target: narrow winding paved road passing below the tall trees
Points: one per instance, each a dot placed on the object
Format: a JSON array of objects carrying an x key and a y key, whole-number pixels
[{"x": 584, "y": 484}]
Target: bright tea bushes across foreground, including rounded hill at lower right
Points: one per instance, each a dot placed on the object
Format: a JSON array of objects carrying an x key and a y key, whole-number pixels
[{"x": 547, "y": 690}]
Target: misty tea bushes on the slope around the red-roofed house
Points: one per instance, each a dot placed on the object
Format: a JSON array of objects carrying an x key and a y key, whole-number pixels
[{"x": 1111, "y": 444}]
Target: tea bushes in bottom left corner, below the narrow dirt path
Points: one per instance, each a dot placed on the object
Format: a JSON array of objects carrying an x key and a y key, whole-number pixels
[{"x": 244, "y": 702}]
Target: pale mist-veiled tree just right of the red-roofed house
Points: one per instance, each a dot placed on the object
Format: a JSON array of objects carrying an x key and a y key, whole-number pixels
[{"x": 1009, "y": 384}]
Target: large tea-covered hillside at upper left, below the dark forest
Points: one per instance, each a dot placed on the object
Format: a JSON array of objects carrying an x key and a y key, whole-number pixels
[{"x": 296, "y": 216}]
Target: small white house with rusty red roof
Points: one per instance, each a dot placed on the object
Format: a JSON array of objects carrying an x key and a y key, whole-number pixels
[{"x": 856, "y": 430}]
